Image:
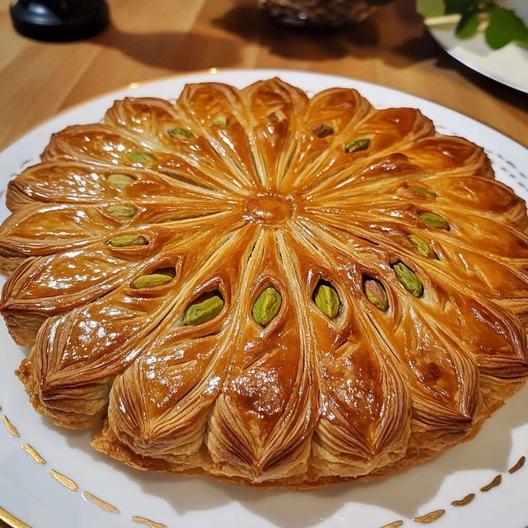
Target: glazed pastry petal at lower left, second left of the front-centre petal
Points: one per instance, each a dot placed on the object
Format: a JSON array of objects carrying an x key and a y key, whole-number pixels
[{"x": 76, "y": 356}]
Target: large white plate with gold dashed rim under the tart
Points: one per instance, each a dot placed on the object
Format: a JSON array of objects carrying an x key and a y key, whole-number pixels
[{"x": 29, "y": 491}]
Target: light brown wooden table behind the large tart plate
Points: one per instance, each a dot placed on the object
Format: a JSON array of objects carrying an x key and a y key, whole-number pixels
[{"x": 150, "y": 39}]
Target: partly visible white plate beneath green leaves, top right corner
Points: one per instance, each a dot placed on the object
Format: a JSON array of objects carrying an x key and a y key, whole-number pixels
[{"x": 508, "y": 65}]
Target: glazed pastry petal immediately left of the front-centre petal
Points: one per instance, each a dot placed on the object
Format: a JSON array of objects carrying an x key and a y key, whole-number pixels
[{"x": 166, "y": 413}]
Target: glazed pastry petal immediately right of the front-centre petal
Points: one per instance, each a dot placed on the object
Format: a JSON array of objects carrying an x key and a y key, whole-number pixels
[{"x": 364, "y": 404}]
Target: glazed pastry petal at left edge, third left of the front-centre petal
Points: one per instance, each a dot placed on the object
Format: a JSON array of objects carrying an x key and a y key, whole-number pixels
[{"x": 53, "y": 284}]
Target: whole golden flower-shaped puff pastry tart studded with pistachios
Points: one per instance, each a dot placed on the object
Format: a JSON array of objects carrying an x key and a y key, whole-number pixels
[{"x": 264, "y": 287}]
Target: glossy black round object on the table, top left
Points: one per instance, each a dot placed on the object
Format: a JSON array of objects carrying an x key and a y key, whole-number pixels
[{"x": 59, "y": 20}]
